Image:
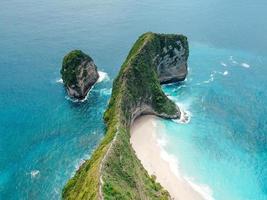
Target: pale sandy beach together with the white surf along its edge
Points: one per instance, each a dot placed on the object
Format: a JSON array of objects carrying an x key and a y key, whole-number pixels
[{"x": 166, "y": 166}]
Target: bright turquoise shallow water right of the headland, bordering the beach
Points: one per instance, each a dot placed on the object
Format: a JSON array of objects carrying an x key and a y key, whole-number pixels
[{"x": 223, "y": 146}]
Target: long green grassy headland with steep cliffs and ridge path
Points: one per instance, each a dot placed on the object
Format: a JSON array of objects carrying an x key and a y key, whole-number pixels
[{"x": 114, "y": 172}]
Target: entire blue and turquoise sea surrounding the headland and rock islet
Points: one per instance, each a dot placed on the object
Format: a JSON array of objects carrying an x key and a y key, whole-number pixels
[{"x": 44, "y": 136}]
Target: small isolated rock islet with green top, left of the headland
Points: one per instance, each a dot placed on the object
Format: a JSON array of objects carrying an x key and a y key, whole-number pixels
[{"x": 79, "y": 74}]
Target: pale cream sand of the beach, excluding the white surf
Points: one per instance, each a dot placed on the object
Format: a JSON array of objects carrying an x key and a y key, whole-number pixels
[{"x": 144, "y": 142}]
